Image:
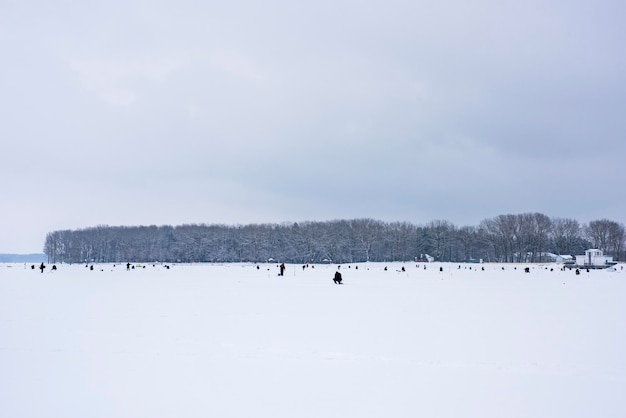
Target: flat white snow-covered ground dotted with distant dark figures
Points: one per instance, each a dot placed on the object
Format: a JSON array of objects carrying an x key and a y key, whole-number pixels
[{"x": 236, "y": 341}]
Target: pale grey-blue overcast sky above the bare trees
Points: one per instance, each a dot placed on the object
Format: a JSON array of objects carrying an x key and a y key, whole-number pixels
[{"x": 169, "y": 112}]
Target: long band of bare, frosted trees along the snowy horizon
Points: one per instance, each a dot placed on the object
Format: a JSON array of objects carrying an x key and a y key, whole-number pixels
[{"x": 526, "y": 237}]
